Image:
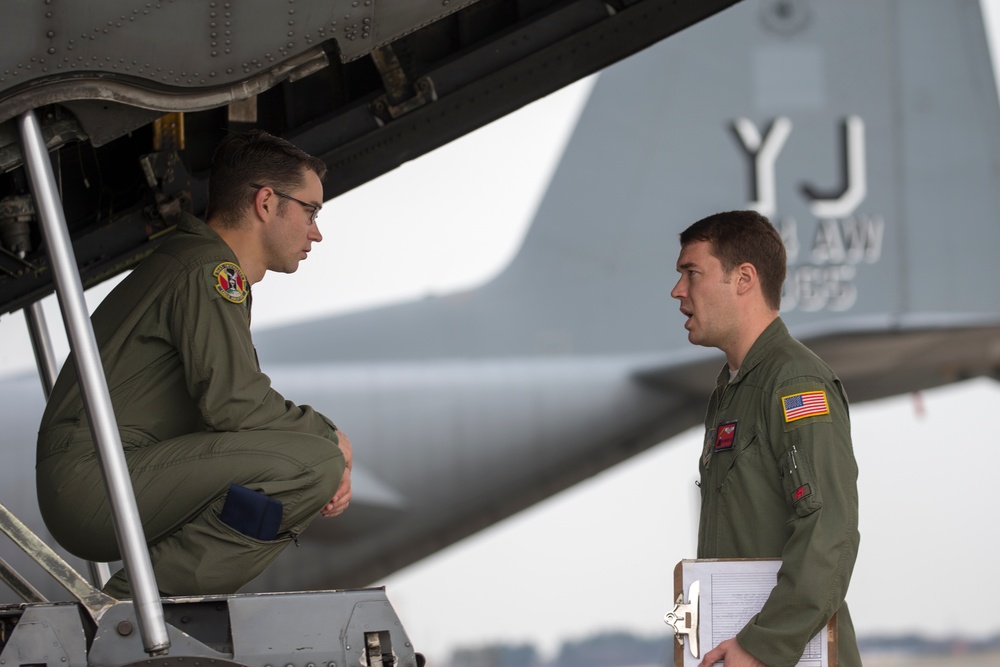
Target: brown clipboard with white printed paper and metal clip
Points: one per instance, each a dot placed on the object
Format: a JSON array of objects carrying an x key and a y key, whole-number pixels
[{"x": 715, "y": 598}]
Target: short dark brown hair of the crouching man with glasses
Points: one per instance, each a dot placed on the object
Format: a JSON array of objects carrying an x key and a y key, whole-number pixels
[{"x": 254, "y": 157}]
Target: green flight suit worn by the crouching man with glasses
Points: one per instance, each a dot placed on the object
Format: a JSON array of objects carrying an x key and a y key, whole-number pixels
[{"x": 195, "y": 414}]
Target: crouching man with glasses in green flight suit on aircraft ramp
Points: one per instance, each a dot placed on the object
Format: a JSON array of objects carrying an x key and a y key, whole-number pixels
[{"x": 226, "y": 472}]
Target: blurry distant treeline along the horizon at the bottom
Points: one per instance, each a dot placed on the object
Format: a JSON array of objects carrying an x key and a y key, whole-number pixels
[{"x": 622, "y": 649}]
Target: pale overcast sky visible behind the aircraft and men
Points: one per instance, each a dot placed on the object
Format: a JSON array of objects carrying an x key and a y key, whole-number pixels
[{"x": 600, "y": 555}]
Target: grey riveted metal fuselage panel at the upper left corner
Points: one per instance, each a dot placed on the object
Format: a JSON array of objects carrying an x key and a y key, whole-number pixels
[{"x": 204, "y": 53}]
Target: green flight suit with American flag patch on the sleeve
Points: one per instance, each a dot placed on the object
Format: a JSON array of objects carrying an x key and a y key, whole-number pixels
[{"x": 779, "y": 480}]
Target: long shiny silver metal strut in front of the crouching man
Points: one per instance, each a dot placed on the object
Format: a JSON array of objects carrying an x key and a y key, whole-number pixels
[{"x": 94, "y": 387}]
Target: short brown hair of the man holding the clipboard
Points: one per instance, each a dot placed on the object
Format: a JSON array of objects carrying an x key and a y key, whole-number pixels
[{"x": 745, "y": 236}]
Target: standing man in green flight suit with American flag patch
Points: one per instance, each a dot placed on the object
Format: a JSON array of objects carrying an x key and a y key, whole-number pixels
[{"x": 778, "y": 475}]
